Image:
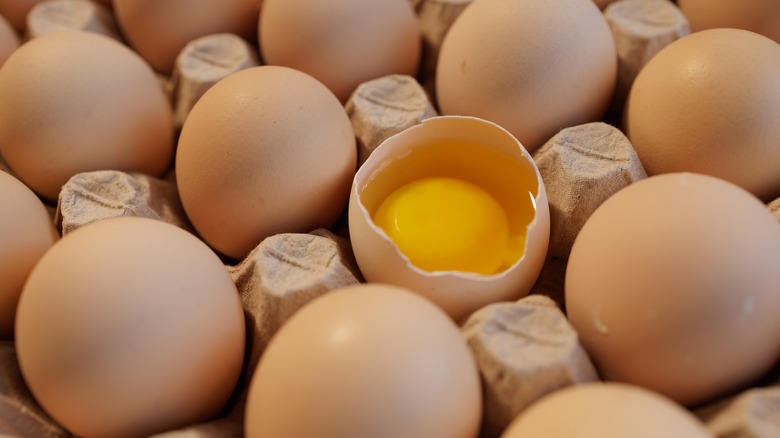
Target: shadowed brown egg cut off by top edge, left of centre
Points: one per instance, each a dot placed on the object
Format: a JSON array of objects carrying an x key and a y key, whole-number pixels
[{"x": 159, "y": 30}]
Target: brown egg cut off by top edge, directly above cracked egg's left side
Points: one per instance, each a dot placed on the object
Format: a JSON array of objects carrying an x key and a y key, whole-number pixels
[{"x": 342, "y": 43}]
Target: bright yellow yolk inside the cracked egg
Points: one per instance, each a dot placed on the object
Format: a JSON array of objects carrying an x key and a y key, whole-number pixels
[{"x": 446, "y": 224}]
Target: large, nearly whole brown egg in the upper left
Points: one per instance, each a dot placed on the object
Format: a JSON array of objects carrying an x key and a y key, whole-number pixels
[{"x": 74, "y": 101}]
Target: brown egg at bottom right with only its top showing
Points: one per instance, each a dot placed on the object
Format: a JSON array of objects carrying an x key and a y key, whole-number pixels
[{"x": 606, "y": 410}]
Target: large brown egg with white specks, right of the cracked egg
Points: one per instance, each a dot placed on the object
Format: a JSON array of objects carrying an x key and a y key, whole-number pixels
[{"x": 672, "y": 285}]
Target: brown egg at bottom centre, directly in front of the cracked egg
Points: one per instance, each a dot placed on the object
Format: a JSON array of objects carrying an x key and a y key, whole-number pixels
[{"x": 368, "y": 360}]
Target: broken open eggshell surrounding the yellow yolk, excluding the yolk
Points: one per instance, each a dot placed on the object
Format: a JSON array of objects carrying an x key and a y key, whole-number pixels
[{"x": 457, "y": 293}]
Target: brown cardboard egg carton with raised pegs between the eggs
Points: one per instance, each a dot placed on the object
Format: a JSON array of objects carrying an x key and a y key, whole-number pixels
[{"x": 524, "y": 350}]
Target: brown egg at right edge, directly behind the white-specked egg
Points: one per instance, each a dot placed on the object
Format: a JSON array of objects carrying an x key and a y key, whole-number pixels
[{"x": 709, "y": 103}]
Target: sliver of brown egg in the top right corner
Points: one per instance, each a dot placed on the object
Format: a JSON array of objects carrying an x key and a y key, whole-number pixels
[{"x": 760, "y": 16}]
